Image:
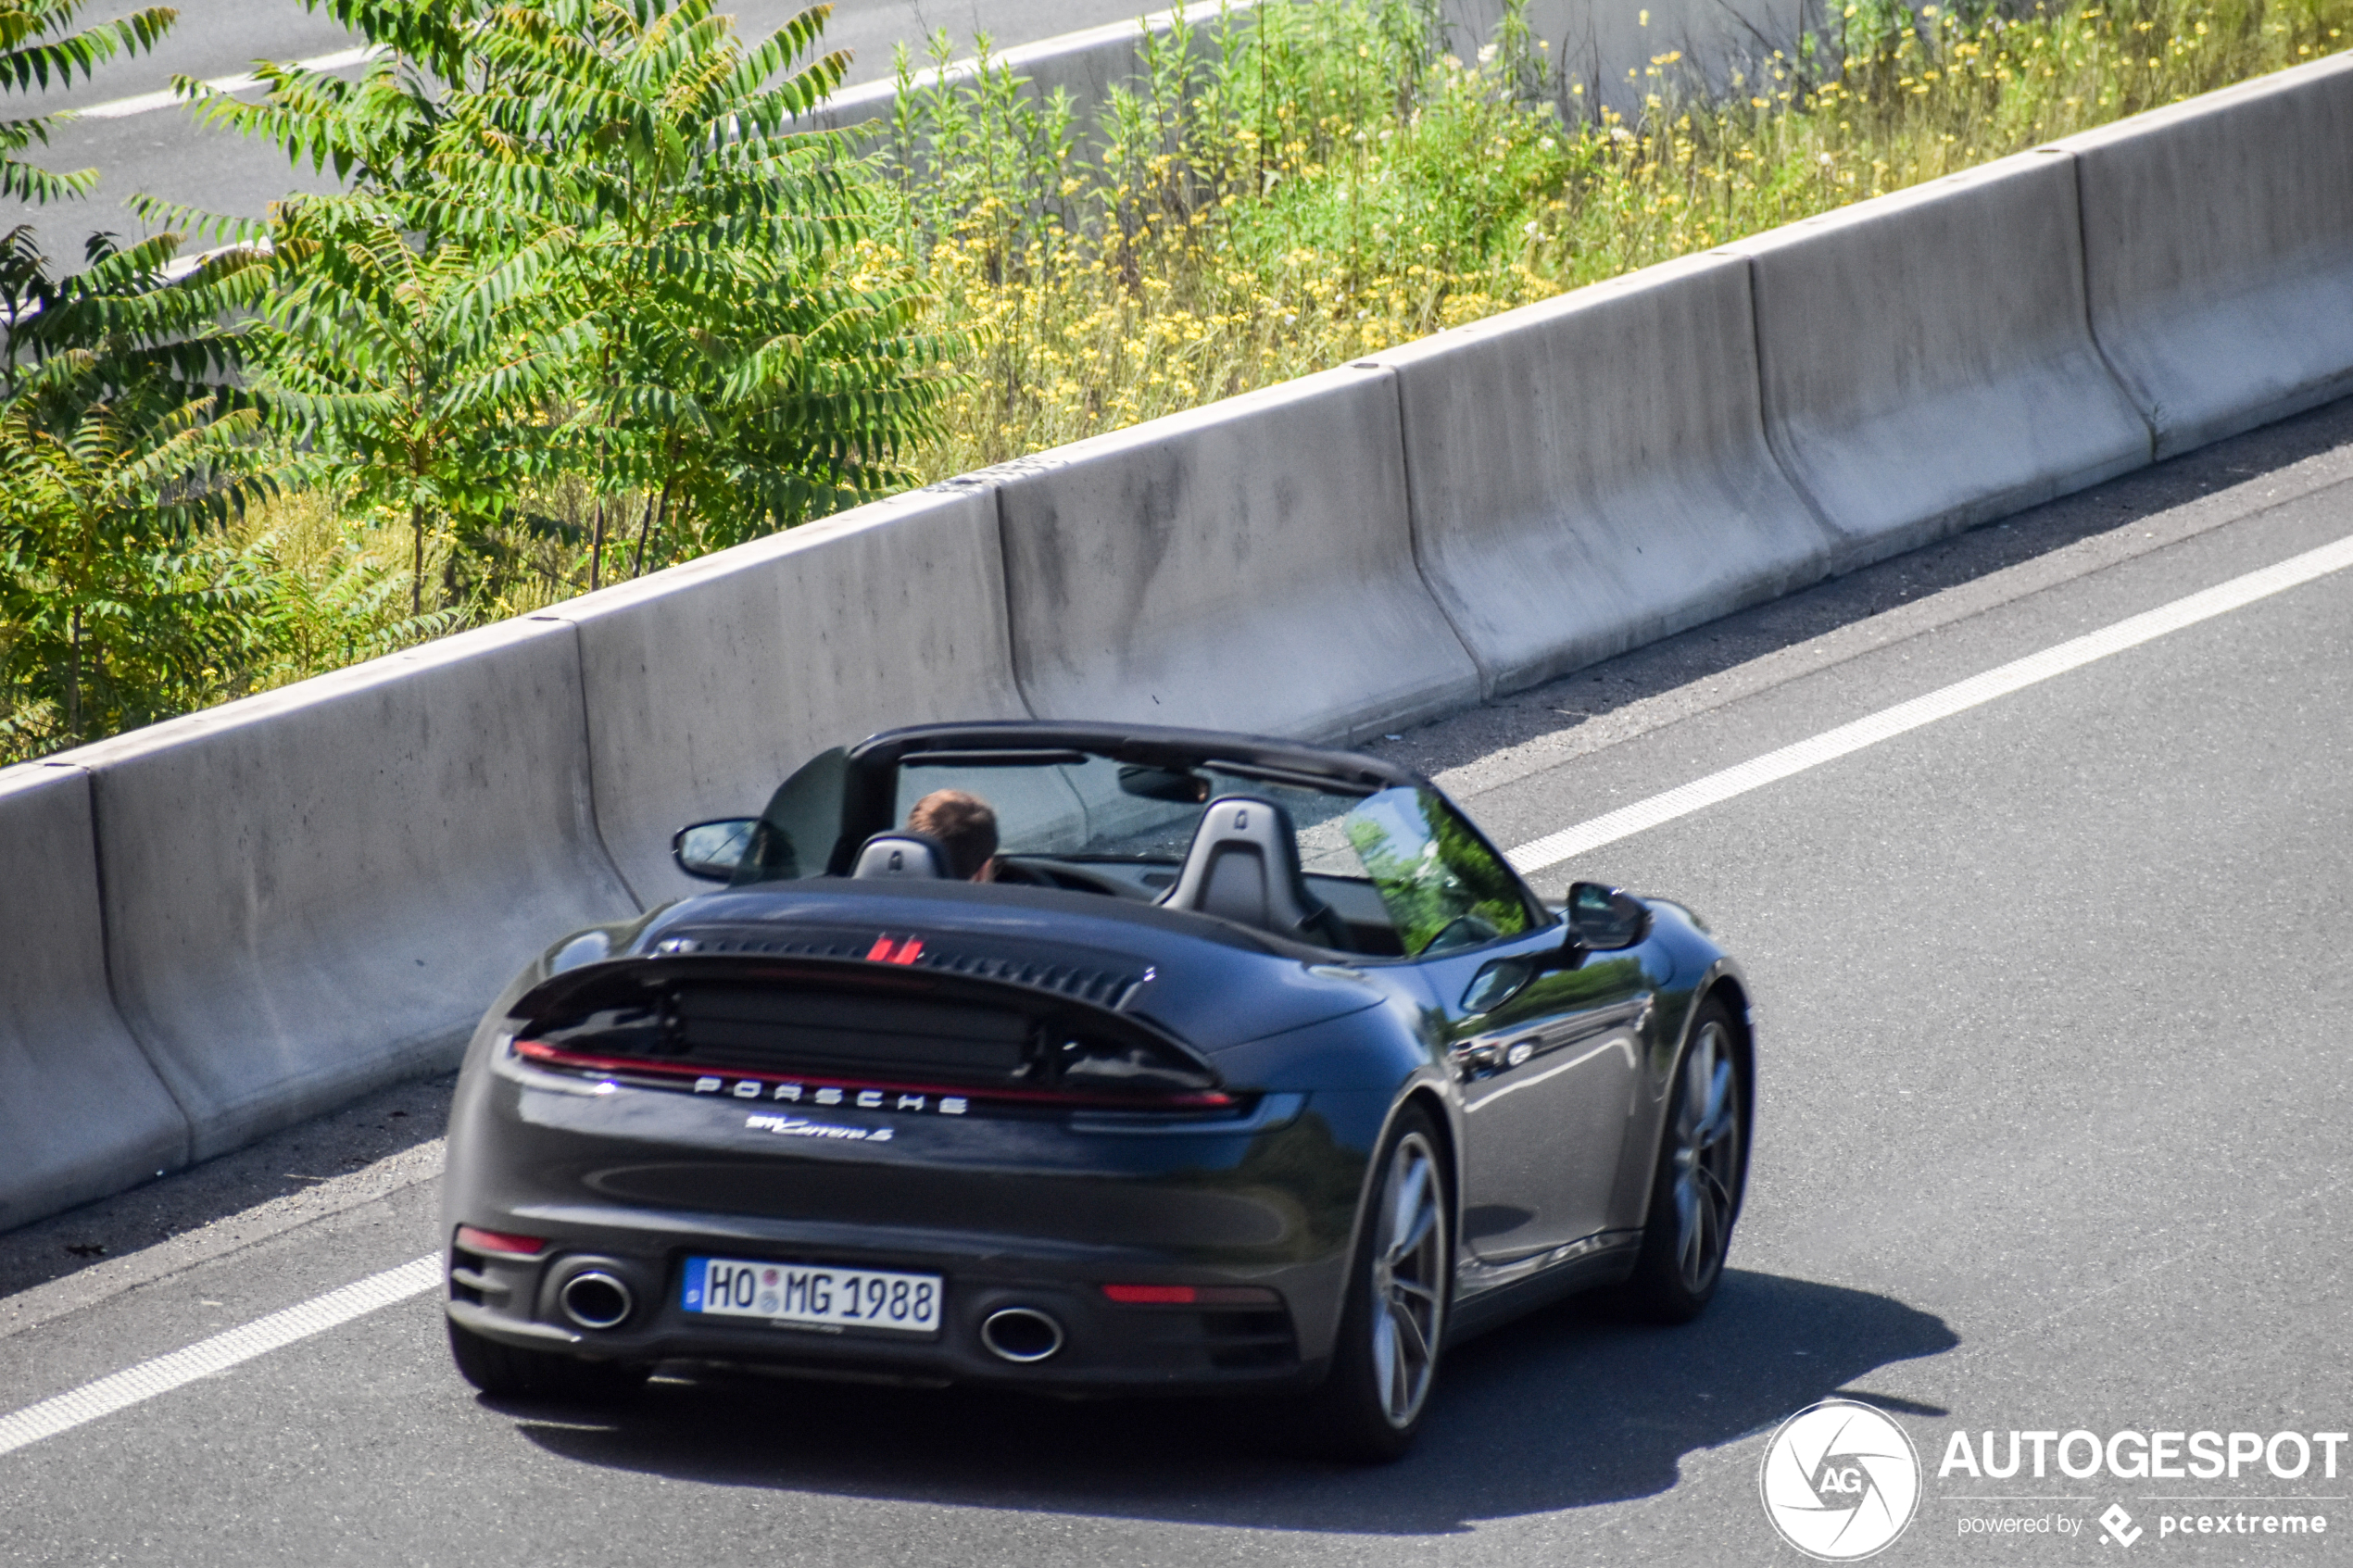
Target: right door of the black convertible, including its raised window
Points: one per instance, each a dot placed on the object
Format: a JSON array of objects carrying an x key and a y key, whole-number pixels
[{"x": 1542, "y": 1038}]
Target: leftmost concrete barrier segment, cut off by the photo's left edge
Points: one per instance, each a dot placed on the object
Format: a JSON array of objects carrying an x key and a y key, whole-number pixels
[{"x": 81, "y": 1108}]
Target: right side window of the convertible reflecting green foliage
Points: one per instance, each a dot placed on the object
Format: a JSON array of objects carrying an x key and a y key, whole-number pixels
[{"x": 1437, "y": 878}]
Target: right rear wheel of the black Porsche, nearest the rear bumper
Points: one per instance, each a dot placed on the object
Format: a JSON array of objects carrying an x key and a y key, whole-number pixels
[{"x": 1392, "y": 1327}]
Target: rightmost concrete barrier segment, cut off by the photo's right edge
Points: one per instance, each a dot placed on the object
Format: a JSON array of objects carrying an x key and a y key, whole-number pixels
[{"x": 2220, "y": 253}]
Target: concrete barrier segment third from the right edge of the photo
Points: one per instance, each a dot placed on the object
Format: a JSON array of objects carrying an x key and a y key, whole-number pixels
[{"x": 1592, "y": 474}]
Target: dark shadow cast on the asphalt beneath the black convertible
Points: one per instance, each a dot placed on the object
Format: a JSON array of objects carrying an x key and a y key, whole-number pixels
[{"x": 1561, "y": 1409}]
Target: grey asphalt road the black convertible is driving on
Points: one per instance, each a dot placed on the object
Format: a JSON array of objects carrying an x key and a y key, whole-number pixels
[{"x": 2051, "y": 1139}]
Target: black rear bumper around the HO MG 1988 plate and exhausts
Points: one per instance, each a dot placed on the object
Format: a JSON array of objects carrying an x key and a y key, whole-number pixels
[{"x": 1011, "y": 1214}]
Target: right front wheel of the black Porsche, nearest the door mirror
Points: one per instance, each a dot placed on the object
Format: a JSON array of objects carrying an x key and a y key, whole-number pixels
[{"x": 1695, "y": 1195}]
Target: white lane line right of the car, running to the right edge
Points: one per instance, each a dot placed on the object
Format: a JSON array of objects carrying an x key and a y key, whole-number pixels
[{"x": 1773, "y": 768}]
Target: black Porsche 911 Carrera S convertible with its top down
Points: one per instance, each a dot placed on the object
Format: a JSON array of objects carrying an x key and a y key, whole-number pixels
[{"x": 1095, "y": 1061}]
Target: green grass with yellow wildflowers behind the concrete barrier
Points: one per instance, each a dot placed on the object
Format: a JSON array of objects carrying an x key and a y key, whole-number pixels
[{"x": 1338, "y": 180}]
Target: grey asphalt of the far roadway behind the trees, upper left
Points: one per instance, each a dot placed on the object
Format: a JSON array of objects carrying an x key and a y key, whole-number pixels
[{"x": 166, "y": 156}]
